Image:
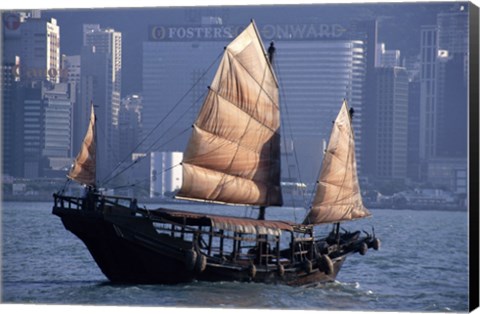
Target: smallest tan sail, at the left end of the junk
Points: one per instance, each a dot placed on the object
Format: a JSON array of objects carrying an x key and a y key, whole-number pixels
[{"x": 84, "y": 166}]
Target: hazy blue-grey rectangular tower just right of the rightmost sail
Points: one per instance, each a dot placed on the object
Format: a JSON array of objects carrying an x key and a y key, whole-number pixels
[{"x": 392, "y": 123}]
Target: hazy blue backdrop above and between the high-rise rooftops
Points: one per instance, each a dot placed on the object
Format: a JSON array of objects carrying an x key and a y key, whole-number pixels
[{"x": 397, "y": 24}]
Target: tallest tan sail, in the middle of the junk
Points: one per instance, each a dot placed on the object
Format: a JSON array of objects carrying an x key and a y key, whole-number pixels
[{"x": 233, "y": 155}]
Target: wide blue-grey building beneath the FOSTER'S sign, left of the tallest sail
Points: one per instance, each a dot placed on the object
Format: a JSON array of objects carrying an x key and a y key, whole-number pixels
[{"x": 170, "y": 70}]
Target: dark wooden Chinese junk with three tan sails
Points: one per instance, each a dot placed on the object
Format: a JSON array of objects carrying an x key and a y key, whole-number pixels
[{"x": 233, "y": 157}]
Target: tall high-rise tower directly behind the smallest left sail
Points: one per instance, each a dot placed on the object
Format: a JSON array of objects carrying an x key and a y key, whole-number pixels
[{"x": 101, "y": 84}]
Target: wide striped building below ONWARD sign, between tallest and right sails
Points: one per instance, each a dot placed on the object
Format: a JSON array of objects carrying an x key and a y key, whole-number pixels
[{"x": 315, "y": 78}]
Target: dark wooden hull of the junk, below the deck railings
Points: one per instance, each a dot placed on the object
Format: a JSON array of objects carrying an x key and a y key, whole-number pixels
[{"x": 127, "y": 249}]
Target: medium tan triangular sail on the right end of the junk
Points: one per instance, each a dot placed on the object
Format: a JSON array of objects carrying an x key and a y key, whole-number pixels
[{"x": 338, "y": 195}]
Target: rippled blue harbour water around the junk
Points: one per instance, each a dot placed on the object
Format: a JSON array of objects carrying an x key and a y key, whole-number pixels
[{"x": 422, "y": 266}]
